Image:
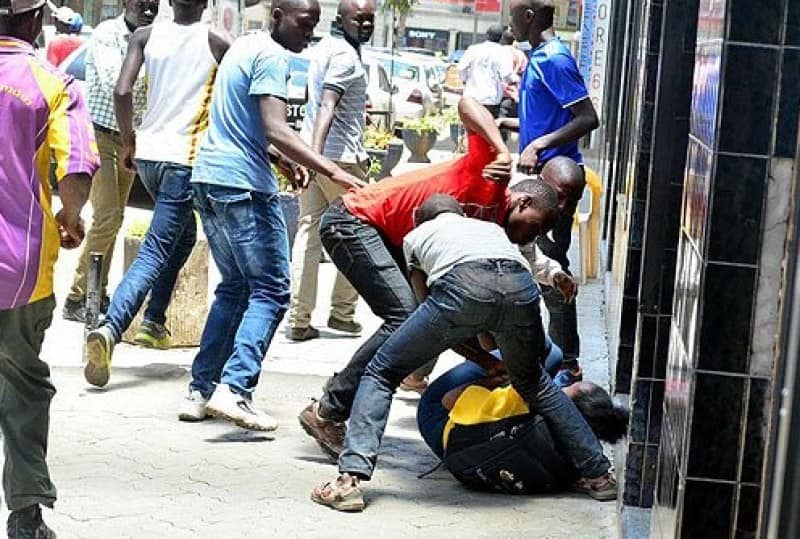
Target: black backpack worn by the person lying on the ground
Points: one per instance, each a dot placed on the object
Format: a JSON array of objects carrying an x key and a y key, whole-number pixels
[{"x": 516, "y": 455}]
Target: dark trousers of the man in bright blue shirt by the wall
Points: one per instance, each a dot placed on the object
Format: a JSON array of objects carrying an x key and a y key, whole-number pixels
[{"x": 563, "y": 328}]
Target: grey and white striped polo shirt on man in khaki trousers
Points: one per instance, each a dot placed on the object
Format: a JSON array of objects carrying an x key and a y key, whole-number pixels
[{"x": 336, "y": 65}]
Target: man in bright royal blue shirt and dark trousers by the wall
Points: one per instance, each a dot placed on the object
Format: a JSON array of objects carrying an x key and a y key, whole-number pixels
[{"x": 554, "y": 113}]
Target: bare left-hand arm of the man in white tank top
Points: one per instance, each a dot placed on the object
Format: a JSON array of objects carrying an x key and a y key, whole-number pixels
[{"x": 123, "y": 94}]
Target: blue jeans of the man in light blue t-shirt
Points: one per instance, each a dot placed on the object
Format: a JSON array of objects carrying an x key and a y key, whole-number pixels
[{"x": 247, "y": 237}]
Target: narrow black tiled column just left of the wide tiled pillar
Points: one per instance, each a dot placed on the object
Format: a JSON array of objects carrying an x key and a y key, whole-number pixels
[{"x": 659, "y": 185}]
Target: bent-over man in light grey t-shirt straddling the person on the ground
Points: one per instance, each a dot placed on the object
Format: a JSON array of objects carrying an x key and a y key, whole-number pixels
[{"x": 478, "y": 283}]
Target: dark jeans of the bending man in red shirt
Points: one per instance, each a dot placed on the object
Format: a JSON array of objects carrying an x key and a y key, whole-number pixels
[{"x": 361, "y": 254}]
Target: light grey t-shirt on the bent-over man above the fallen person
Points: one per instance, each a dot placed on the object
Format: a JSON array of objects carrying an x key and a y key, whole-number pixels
[{"x": 438, "y": 245}]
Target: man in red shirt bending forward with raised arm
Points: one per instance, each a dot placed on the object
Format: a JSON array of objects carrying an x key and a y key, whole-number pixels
[{"x": 363, "y": 233}]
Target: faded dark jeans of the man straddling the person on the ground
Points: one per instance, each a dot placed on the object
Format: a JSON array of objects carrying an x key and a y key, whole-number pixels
[{"x": 498, "y": 296}]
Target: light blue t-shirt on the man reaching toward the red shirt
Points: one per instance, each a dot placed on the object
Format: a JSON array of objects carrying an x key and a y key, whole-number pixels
[{"x": 234, "y": 150}]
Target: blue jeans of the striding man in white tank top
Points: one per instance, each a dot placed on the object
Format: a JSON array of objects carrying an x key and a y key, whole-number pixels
[{"x": 166, "y": 246}]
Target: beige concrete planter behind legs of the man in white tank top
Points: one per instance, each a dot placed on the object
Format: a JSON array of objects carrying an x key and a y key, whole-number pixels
[{"x": 188, "y": 309}]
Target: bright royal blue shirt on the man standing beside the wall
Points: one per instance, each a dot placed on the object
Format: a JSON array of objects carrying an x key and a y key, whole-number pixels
[{"x": 550, "y": 85}]
